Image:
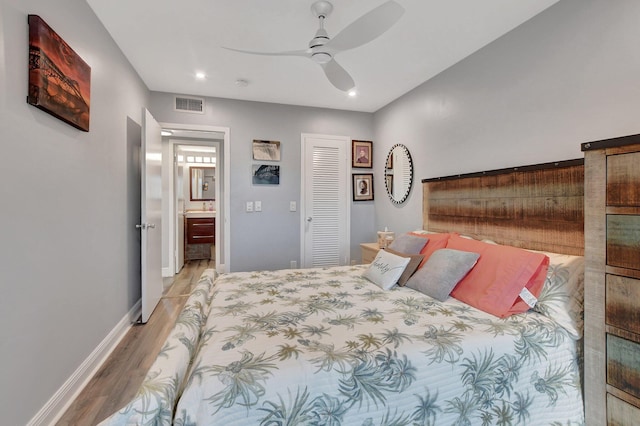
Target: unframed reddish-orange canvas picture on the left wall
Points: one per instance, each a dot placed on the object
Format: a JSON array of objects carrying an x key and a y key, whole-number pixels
[{"x": 59, "y": 80}]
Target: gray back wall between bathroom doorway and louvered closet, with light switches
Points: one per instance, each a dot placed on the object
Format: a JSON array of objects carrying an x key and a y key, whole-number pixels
[{"x": 271, "y": 239}]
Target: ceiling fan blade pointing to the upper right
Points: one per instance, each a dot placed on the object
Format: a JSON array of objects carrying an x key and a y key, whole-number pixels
[{"x": 368, "y": 27}]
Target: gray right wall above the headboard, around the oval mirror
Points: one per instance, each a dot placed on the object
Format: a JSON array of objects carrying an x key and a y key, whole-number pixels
[{"x": 567, "y": 76}]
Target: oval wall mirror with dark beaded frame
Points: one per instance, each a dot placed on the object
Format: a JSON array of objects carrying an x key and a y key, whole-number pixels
[{"x": 398, "y": 174}]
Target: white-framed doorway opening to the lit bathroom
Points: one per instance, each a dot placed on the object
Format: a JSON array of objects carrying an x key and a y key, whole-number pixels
[{"x": 197, "y": 147}]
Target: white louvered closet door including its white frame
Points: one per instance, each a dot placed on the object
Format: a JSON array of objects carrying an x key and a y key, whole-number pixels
[{"x": 325, "y": 199}]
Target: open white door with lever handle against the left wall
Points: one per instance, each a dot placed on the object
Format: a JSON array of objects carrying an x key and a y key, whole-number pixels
[{"x": 151, "y": 214}]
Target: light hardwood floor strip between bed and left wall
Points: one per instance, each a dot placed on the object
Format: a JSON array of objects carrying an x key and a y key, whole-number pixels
[{"x": 118, "y": 379}]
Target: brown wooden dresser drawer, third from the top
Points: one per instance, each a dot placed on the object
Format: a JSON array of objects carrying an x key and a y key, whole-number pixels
[{"x": 623, "y": 302}]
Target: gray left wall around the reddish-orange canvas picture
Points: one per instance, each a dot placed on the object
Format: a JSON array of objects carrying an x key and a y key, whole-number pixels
[{"x": 67, "y": 252}]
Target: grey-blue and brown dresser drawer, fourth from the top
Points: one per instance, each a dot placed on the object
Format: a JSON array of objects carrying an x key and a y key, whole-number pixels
[{"x": 623, "y": 364}]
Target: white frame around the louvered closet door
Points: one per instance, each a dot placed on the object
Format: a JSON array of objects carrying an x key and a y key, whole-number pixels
[{"x": 303, "y": 191}]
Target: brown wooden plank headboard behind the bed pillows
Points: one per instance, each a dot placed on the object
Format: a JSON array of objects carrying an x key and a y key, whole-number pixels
[{"x": 539, "y": 207}]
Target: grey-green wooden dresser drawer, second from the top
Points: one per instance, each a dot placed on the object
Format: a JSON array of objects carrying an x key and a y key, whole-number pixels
[{"x": 623, "y": 241}]
